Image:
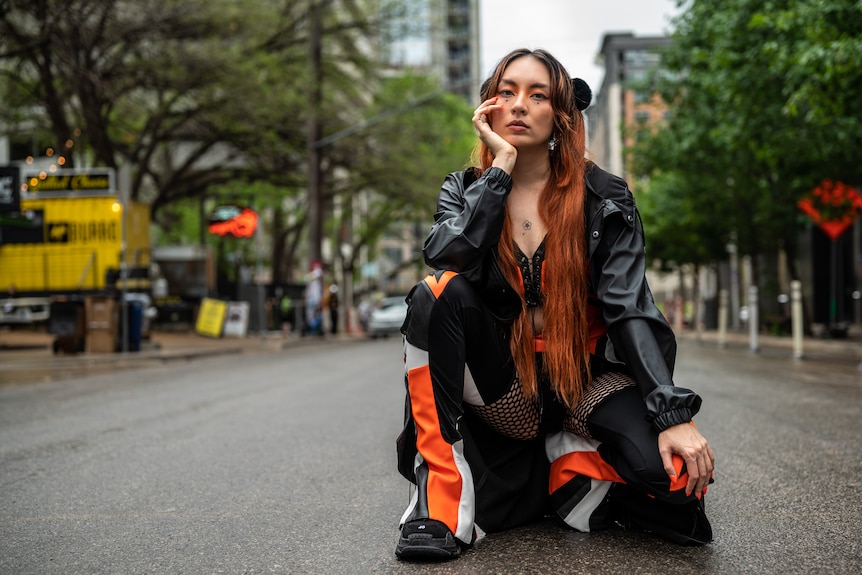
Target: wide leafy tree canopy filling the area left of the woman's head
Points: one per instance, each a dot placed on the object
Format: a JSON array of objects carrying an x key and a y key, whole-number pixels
[{"x": 212, "y": 98}]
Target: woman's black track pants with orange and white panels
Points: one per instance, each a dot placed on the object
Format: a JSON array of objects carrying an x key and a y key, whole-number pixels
[{"x": 464, "y": 473}]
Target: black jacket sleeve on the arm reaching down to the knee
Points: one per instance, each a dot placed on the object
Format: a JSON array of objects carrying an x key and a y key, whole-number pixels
[{"x": 639, "y": 334}]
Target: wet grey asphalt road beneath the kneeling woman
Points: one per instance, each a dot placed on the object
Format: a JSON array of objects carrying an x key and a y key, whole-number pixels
[{"x": 284, "y": 463}]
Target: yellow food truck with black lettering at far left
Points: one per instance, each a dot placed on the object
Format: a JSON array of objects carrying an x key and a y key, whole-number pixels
[{"x": 66, "y": 239}]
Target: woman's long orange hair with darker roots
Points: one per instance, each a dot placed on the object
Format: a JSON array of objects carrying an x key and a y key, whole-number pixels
[{"x": 564, "y": 278}]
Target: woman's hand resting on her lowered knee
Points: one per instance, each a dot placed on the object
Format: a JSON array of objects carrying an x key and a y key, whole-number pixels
[{"x": 687, "y": 442}]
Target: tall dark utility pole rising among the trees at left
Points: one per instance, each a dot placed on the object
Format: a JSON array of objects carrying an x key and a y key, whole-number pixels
[{"x": 315, "y": 195}]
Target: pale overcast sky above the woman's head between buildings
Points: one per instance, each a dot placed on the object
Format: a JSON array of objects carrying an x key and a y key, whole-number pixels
[{"x": 571, "y": 30}]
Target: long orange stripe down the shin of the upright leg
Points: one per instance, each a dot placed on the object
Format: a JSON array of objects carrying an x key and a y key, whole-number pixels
[{"x": 444, "y": 480}]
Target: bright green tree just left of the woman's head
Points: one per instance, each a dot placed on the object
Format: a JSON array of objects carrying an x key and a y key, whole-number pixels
[{"x": 397, "y": 164}]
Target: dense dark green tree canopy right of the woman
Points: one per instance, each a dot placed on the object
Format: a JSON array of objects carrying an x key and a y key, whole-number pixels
[{"x": 764, "y": 104}]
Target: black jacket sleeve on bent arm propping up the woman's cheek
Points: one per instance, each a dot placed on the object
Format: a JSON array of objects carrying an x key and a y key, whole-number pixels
[{"x": 468, "y": 221}]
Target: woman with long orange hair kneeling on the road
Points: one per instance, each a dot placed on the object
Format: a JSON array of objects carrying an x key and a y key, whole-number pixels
[{"x": 538, "y": 368}]
